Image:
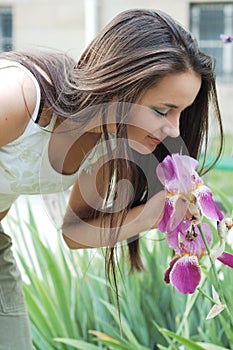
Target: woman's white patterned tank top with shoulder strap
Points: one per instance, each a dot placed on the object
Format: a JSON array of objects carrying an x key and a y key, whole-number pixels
[{"x": 24, "y": 163}]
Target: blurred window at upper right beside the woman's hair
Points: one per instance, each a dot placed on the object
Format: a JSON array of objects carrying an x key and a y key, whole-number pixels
[{"x": 207, "y": 22}]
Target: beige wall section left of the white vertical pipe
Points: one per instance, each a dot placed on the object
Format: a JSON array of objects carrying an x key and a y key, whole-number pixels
[{"x": 54, "y": 24}]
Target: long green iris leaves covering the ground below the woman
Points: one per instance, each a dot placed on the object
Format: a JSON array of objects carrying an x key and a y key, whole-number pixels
[{"x": 72, "y": 306}]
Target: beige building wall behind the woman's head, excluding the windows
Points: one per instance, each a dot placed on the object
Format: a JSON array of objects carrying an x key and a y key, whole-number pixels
[{"x": 62, "y": 24}]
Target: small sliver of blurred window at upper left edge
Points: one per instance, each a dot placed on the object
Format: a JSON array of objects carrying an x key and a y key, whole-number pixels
[{"x": 5, "y": 29}]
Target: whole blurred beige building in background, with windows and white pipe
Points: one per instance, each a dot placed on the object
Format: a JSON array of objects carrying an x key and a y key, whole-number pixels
[{"x": 69, "y": 25}]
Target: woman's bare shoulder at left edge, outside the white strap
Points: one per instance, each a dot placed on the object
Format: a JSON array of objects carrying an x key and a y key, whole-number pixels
[{"x": 17, "y": 102}]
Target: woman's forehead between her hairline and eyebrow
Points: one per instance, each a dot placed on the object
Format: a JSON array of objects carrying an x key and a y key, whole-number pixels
[{"x": 178, "y": 89}]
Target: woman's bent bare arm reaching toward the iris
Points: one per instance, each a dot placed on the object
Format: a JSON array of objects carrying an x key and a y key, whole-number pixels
[{"x": 80, "y": 231}]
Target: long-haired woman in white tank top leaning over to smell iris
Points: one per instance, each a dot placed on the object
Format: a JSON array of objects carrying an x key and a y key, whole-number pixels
[{"x": 141, "y": 90}]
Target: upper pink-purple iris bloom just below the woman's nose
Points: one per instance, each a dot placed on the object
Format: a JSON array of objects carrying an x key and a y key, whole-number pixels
[{"x": 186, "y": 193}]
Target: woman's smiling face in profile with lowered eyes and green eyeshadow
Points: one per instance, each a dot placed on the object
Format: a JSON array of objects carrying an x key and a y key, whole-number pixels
[{"x": 157, "y": 113}]
